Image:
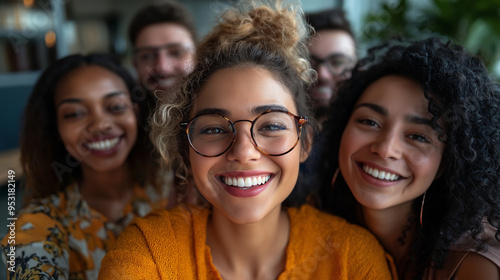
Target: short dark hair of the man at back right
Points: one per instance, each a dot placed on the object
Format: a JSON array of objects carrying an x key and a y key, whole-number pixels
[{"x": 331, "y": 19}]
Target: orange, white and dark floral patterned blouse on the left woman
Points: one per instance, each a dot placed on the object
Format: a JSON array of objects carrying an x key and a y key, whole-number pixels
[{"x": 61, "y": 237}]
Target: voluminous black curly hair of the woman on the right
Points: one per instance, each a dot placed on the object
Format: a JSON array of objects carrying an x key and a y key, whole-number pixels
[{"x": 465, "y": 99}]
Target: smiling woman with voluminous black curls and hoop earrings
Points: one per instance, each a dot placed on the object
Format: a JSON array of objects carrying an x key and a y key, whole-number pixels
[{"x": 411, "y": 153}]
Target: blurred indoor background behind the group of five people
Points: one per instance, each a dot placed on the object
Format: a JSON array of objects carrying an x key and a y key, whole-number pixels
[{"x": 35, "y": 32}]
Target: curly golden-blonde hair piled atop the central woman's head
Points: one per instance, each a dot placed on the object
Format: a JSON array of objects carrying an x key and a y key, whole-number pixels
[{"x": 276, "y": 27}]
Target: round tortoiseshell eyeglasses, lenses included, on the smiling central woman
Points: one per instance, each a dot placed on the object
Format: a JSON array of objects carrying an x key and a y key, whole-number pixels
[{"x": 273, "y": 132}]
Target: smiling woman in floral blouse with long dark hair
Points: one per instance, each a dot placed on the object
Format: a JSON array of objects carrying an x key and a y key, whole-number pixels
[{"x": 87, "y": 165}]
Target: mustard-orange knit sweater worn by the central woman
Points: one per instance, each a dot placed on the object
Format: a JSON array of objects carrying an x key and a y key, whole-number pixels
[{"x": 170, "y": 244}]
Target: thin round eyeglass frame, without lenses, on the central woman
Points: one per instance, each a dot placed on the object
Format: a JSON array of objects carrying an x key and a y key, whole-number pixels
[{"x": 301, "y": 120}]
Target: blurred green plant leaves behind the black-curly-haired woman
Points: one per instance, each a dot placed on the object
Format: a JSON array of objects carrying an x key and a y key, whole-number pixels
[{"x": 473, "y": 24}]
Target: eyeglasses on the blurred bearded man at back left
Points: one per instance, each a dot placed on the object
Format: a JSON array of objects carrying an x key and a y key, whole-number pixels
[{"x": 149, "y": 55}]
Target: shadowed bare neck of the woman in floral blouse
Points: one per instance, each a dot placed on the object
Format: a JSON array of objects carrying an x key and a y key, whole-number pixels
[{"x": 107, "y": 192}]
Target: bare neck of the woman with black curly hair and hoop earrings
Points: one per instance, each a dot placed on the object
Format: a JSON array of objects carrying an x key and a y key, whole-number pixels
[{"x": 387, "y": 225}]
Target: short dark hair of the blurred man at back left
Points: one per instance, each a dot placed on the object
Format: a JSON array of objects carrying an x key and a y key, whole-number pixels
[{"x": 161, "y": 12}]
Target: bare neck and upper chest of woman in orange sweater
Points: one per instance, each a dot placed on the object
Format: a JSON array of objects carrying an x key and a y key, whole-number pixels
[{"x": 249, "y": 251}]
